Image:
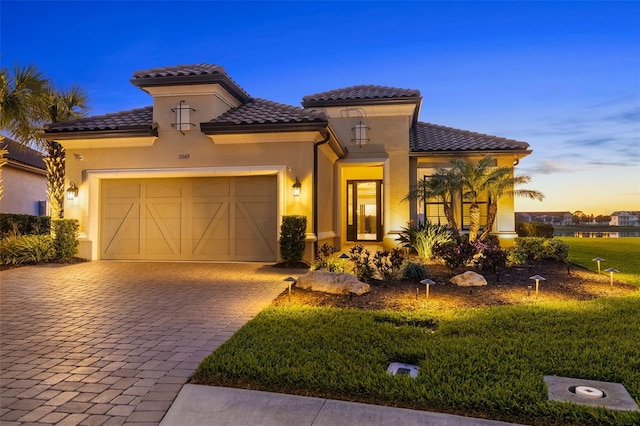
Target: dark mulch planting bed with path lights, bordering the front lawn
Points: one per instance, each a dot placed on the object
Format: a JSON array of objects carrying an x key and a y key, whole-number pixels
[{"x": 510, "y": 286}]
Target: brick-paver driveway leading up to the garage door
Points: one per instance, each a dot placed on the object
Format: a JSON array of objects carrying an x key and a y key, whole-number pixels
[{"x": 113, "y": 342}]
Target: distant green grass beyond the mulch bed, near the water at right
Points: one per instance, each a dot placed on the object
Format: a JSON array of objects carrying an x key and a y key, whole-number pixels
[{"x": 622, "y": 254}]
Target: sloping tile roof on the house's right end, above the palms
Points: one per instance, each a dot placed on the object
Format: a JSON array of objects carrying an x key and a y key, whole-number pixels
[{"x": 427, "y": 137}]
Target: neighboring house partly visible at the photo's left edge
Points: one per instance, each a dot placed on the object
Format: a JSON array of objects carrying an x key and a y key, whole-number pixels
[{"x": 24, "y": 178}]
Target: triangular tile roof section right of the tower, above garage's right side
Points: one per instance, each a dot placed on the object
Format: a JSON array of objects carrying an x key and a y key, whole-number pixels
[{"x": 262, "y": 111}]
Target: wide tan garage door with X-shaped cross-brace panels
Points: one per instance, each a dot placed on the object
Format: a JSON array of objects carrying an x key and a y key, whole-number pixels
[{"x": 189, "y": 219}]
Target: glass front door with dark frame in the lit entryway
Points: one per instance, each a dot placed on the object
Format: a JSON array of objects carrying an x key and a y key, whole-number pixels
[{"x": 364, "y": 210}]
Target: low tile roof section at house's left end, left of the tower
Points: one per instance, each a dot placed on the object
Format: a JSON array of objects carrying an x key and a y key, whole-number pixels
[{"x": 133, "y": 119}]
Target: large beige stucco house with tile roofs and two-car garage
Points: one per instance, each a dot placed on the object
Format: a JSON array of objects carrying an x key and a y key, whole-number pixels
[{"x": 207, "y": 171}]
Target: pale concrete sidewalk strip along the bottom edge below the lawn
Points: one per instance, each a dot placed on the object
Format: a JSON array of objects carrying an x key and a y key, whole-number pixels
[{"x": 198, "y": 405}]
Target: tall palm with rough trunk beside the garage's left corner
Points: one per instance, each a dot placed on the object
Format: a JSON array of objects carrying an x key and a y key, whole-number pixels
[{"x": 63, "y": 105}]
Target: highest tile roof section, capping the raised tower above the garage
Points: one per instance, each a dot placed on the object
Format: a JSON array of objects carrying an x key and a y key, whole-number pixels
[{"x": 189, "y": 75}]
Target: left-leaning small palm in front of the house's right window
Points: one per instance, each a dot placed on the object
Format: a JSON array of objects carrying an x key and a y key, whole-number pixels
[{"x": 441, "y": 186}]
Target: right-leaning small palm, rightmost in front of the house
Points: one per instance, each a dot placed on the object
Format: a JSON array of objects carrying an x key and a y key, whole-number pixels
[{"x": 503, "y": 183}]
